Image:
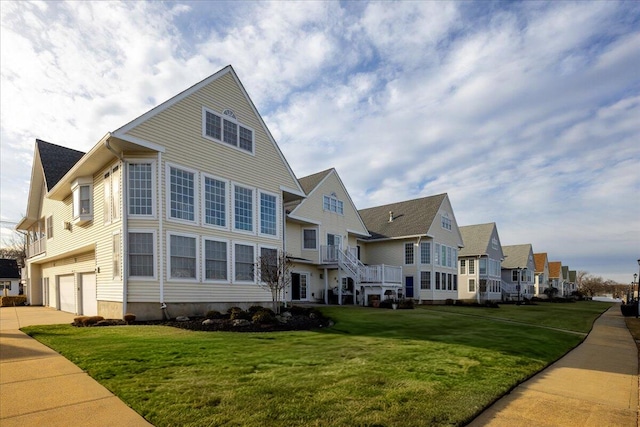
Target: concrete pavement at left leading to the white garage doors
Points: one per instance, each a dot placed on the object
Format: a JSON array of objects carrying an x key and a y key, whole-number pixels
[{"x": 39, "y": 387}]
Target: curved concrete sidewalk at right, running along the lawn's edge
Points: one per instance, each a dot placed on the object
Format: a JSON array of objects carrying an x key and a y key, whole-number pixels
[{"x": 595, "y": 384}]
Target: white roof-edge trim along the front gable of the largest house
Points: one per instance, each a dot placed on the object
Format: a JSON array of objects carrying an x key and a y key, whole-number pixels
[{"x": 123, "y": 132}]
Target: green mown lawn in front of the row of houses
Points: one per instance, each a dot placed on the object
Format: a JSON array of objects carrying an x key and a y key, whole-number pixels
[{"x": 374, "y": 367}]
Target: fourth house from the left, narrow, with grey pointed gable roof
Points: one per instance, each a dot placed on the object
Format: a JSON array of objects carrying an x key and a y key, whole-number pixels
[{"x": 480, "y": 263}]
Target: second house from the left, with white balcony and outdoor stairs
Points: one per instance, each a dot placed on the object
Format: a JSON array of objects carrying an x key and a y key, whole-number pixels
[{"x": 322, "y": 240}]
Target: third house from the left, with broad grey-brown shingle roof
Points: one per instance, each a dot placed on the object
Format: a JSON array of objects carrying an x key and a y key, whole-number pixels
[{"x": 422, "y": 236}]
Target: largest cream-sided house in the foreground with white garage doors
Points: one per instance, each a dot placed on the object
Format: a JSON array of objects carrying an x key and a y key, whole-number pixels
[{"x": 166, "y": 215}]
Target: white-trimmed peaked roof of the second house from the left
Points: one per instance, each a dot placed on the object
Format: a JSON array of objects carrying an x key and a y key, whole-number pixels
[{"x": 314, "y": 185}]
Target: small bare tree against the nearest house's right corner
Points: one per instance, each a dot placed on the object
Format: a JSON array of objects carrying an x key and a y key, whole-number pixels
[{"x": 274, "y": 274}]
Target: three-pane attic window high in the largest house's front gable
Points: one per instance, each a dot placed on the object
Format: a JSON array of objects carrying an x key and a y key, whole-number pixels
[{"x": 227, "y": 129}]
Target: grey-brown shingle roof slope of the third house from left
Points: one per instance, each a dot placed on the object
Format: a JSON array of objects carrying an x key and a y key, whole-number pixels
[{"x": 410, "y": 218}]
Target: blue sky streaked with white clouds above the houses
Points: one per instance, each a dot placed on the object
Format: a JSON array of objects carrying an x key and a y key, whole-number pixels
[{"x": 526, "y": 114}]
